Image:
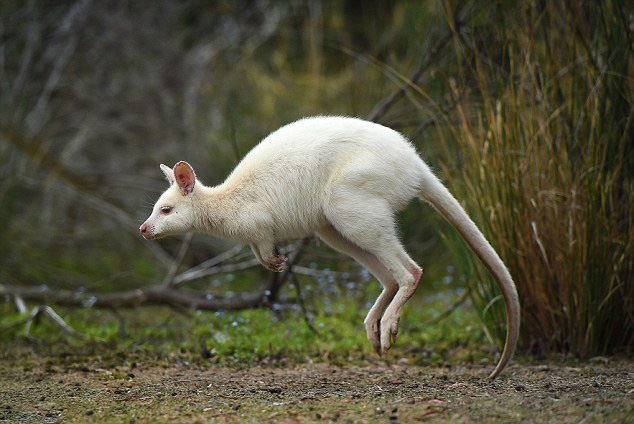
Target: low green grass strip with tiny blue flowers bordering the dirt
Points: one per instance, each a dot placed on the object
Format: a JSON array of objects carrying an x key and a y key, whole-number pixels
[{"x": 258, "y": 336}]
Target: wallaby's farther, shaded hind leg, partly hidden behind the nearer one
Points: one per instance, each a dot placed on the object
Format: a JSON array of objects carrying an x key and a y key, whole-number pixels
[{"x": 372, "y": 321}]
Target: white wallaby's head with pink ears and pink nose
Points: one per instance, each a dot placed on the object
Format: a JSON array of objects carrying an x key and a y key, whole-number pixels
[{"x": 173, "y": 212}]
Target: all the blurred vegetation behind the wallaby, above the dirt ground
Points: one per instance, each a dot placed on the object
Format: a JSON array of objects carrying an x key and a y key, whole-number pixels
[{"x": 525, "y": 108}]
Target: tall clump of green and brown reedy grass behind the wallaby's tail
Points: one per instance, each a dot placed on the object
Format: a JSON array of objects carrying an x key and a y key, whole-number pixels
[{"x": 545, "y": 162}]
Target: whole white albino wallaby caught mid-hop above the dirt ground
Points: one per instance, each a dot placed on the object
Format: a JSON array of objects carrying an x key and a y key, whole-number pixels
[{"x": 343, "y": 179}]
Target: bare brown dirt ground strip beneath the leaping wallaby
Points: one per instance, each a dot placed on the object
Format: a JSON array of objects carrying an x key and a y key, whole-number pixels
[{"x": 41, "y": 391}]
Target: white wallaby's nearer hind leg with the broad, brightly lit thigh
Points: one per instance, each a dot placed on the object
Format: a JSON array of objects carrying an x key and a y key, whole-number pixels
[{"x": 368, "y": 223}]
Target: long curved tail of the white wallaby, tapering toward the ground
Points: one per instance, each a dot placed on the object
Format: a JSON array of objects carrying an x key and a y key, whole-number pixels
[{"x": 434, "y": 192}]
